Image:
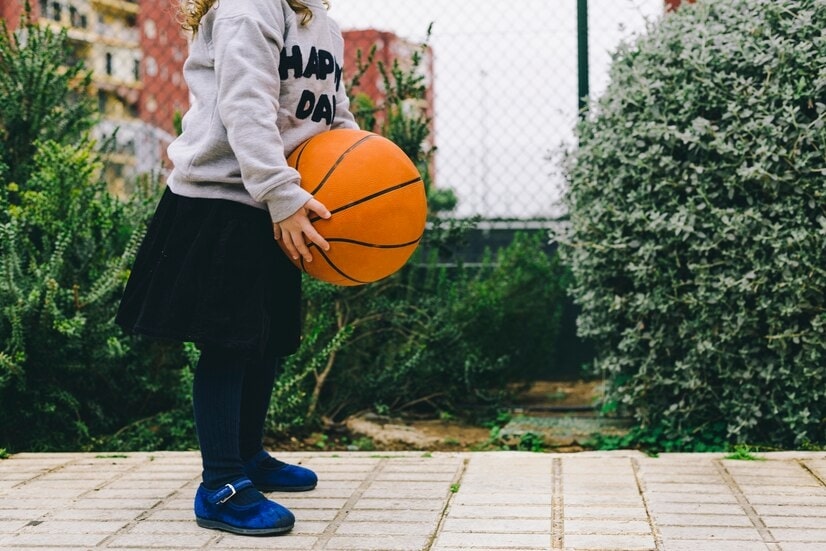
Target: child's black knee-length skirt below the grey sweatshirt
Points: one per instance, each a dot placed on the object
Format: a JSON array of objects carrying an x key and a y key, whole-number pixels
[{"x": 210, "y": 272}]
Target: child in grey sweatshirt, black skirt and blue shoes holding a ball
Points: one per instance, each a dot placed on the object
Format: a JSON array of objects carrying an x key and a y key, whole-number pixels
[{"x": 264, "y": 77}]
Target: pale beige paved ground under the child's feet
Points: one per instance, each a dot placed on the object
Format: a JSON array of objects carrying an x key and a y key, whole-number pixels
[{"x": 437, "y": 502}]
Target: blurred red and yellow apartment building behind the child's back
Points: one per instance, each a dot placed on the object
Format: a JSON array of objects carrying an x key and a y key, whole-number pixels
[{"x": 135, "y": 51}]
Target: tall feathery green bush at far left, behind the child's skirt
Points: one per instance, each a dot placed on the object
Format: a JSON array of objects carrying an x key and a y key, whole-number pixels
[{"x": 67, "y": 373}]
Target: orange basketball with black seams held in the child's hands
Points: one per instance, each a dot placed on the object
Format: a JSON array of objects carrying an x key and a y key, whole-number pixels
[{"x": 377, "y": 200}]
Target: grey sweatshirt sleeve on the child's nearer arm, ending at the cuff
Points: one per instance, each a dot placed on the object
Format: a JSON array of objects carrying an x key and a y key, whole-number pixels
[{"x": 248, "y": 86}]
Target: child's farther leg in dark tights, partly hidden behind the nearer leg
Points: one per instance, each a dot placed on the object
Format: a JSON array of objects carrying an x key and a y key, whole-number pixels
[{"x": 259, "y": 378}]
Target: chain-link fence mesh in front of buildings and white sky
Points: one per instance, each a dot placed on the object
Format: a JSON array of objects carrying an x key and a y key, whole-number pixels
[{"x": 502, "y": 79}]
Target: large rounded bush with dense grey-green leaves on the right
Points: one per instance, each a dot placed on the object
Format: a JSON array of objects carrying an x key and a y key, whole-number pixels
[{"x": 698, "y": 226}]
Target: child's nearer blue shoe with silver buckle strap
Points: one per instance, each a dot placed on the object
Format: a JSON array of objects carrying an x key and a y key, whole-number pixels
[{"x": 214, "y": 509}]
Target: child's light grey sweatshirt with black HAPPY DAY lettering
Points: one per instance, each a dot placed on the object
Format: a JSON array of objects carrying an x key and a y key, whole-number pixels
[{"x": 261, "y": 85}]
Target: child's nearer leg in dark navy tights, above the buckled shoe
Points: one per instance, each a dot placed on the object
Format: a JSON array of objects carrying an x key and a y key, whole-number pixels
[{"x": 216, "y": 397}]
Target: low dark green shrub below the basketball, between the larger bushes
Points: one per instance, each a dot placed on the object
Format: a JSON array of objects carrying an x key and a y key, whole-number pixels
[{"x": 430, "y": 337}]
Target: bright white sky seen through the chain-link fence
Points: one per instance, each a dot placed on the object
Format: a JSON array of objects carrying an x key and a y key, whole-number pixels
[{"x": 505, "y": 86}]
